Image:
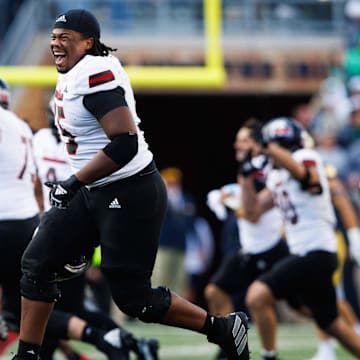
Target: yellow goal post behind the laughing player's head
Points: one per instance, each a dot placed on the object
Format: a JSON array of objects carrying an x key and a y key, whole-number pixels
[{"x": 211, "y": 75}]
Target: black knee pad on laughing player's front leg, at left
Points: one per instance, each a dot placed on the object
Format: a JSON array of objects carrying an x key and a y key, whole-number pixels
[{"x": 37, "y": 289}]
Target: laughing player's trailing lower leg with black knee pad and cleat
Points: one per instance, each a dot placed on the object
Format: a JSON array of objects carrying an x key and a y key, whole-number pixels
[{"x": 137, "y": 299}]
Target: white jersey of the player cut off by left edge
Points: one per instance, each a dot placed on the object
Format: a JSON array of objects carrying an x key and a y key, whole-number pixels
[{"x": 17, "y": 195}]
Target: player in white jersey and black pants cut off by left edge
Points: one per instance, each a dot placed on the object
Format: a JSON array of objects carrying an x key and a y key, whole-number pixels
[{"x": 19, "y": 211}]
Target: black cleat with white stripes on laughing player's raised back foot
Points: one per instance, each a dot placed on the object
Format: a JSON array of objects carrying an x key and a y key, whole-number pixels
[{"x": 232, "y": 336}]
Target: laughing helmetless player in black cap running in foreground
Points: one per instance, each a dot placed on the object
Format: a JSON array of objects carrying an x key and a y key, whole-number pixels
[{"x": 115, "y": 198}]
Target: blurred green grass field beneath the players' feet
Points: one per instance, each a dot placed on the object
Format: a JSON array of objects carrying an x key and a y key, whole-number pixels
[{"x": 295, "y": 342}]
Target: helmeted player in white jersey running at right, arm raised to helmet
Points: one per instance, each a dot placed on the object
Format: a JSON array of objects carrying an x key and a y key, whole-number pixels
[{"x": 300, "y": 189}]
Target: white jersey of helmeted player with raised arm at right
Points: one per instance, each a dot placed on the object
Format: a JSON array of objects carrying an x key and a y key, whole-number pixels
[{"x": 309, "y": 219}]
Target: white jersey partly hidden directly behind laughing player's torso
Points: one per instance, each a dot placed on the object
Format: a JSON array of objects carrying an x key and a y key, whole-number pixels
[{"x": 51, "y": 160}]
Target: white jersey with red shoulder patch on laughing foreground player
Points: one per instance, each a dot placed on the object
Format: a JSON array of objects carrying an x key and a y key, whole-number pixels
[{"x": 79, "y": 129}]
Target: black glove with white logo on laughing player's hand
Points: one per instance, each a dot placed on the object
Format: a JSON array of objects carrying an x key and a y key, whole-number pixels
[{"x": 62, "y": 192}]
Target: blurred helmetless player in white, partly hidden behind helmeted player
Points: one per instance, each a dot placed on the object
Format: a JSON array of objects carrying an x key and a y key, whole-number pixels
[{"x": 261, "y": 244}]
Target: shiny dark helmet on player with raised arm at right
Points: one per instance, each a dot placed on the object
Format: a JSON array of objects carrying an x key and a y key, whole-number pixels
[{"x": 284, "y": 131}]
